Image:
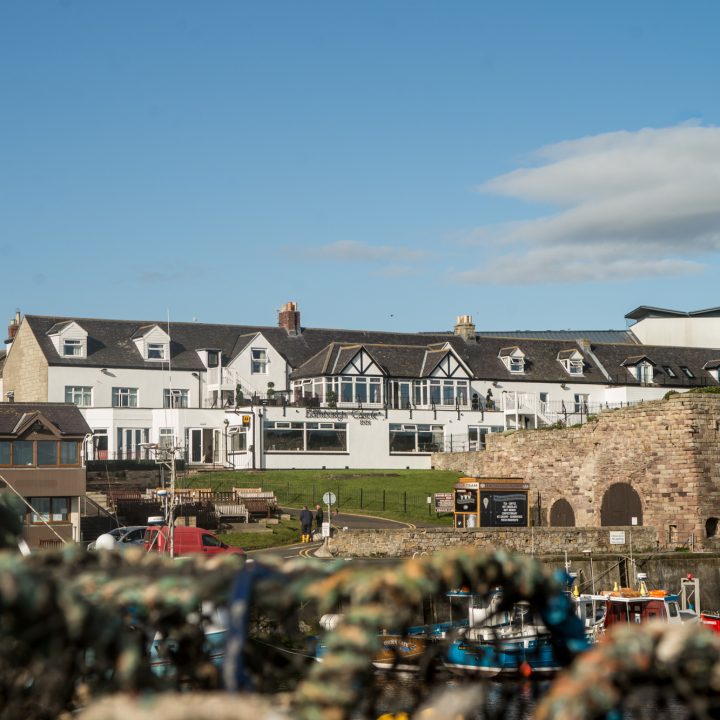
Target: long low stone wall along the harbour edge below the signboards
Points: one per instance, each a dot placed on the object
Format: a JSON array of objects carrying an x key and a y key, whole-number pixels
[{"x": 407, "y": 542}]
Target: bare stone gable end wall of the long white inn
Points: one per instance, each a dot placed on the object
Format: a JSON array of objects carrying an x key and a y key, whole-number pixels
[{"x": 26, "y": 370}]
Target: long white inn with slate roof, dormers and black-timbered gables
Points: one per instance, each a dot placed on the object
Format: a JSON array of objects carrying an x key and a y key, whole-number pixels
[{"x": 294, "y": 397}]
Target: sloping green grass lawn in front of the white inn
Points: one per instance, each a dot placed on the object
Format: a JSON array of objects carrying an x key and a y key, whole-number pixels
[{"x": 396, "y": 494}]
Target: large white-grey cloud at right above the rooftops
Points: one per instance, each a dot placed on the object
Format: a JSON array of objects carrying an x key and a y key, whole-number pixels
[{"x": 630, "y": 205}]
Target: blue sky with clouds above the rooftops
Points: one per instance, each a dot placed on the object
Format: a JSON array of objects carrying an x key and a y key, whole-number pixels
[{"x": 387, "y": 165}]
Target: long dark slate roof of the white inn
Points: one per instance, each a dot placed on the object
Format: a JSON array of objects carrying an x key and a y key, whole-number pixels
[{"x": 318, "y": 351}]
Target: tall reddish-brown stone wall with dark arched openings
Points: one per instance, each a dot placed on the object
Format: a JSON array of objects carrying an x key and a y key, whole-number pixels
[{"x": 668, "y": 451}]
